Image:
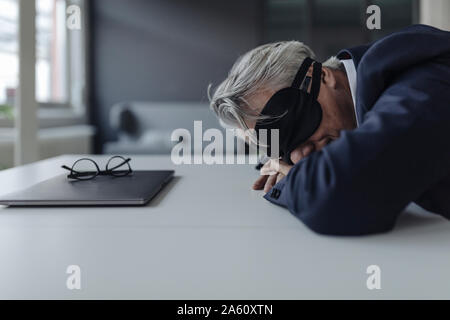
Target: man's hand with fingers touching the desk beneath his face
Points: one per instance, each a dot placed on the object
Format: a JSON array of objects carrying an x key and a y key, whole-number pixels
[{"x": 272, "y": 172}]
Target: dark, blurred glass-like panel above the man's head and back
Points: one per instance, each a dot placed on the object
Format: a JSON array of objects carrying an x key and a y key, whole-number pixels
[{"x": 328, "y": 25}]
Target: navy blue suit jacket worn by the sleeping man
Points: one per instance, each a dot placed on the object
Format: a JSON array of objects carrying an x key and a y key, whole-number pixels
[{"x": 400, "y": 153}]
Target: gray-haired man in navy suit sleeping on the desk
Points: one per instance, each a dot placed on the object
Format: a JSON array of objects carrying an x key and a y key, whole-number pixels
[{"x": 383, "y": 139}]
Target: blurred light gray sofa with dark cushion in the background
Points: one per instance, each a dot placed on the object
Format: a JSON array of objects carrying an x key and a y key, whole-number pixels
[{"x": 146, "y": 127}]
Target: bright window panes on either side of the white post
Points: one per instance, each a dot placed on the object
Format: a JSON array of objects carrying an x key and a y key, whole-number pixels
[{"x": 60, "y": 58}]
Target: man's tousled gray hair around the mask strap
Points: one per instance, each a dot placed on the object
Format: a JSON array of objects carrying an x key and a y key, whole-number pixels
[{"x": 272, "y": 65}]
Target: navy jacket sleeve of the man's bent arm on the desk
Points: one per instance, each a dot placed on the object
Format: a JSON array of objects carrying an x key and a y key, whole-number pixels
[{"x": 360, "y": 183}]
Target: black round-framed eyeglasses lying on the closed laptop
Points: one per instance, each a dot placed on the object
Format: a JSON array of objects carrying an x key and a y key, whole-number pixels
[{"x": 87, "y": 169}]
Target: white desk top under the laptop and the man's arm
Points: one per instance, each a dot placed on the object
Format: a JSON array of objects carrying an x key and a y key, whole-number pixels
[{"x": 207, "y": 236}]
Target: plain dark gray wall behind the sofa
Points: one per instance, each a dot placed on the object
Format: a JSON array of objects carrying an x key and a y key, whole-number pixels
[{"x": 164, "y": 50}]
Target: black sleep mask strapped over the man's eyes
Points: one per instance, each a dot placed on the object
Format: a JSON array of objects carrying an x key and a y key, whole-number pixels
[{"x": 293, "y": 111}]
